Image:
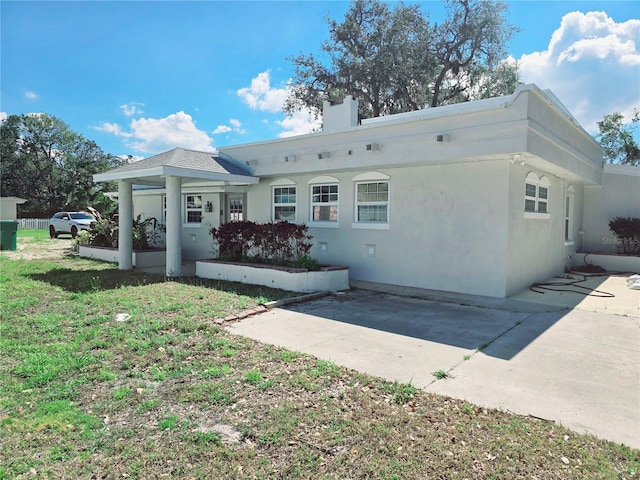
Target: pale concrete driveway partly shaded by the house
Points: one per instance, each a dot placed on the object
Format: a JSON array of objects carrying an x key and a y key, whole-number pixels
[{"x": 579, "y": 368}]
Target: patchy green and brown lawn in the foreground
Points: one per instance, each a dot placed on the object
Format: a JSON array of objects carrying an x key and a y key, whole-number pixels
[{"x": 157, "y": 396}]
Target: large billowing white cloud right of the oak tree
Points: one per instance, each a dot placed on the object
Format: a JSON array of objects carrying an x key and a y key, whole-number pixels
[{"x": 592, "y": 64}]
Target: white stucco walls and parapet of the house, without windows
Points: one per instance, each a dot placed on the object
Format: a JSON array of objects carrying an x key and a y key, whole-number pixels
[{"x": 456, "y": 205}]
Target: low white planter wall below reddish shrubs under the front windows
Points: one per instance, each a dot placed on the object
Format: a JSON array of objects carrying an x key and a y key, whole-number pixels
[{"x": 294, "y": 280}]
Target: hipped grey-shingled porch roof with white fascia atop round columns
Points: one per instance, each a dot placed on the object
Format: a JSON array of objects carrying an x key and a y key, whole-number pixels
[{"x": 190, "y": 165}]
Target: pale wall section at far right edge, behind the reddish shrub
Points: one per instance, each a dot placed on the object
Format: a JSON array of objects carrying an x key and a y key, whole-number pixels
[{"x": 619, "y": 196}]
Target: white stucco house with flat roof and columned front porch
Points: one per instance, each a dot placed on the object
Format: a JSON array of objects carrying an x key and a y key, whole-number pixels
[{"x": 483, "y": 198}]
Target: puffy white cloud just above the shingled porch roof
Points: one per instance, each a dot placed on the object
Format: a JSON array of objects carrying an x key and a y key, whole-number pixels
[{"x": 153, "y": 135}]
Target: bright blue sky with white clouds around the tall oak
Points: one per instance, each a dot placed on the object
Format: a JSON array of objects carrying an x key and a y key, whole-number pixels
[{"x": 143, "y": 77}]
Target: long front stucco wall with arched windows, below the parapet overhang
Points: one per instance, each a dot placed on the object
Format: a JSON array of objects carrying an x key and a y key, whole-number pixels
[{"x": 447, "y": 227}]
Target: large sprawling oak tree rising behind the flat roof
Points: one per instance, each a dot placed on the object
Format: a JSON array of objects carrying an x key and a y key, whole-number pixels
[{"x": 393, "y": 60}]
